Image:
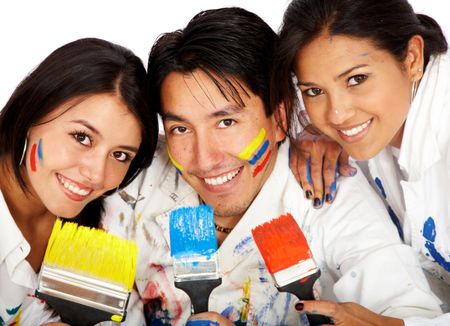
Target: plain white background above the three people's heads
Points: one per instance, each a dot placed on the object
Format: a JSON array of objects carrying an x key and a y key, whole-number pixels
[{"x": 31, "y": 29}]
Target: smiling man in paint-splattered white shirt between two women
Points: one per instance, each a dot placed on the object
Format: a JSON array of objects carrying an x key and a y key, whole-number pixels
[{"x": 224, "y": 147}]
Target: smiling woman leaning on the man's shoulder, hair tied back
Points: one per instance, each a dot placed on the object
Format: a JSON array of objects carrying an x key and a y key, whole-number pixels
[{"x": 375, "y": 77}]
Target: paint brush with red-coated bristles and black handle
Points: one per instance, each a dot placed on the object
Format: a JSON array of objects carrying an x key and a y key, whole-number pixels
[{"x": 288, "y": 258}]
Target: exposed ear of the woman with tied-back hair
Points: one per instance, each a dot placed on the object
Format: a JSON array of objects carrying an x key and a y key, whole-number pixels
[{"x": 414, "y": 59}]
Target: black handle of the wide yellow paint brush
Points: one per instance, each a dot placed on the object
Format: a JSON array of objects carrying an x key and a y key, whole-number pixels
[{"x": 74, "y": 313}]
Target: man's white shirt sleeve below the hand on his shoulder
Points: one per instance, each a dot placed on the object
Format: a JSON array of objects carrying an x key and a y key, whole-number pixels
[{"x": 375, "y": 269}]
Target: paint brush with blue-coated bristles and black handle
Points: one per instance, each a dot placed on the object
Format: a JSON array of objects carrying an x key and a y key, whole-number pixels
[{"x": 193, "y": 245}]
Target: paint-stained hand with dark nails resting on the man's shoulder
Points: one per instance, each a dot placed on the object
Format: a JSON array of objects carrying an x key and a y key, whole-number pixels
[{"x": 315, "y": 160}]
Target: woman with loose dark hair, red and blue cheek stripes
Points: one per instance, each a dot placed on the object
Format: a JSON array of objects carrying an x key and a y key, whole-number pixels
[{"x": 77, "y": 128}]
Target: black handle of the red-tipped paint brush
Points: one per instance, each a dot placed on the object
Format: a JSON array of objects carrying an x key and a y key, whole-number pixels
[{"x": 303, "y": 289}]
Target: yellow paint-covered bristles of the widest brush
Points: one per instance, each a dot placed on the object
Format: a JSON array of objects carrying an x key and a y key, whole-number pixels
[{"x": 92, "y": 252}]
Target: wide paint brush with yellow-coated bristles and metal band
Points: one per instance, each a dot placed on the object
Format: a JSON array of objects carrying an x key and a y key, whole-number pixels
[{"x": 87, "y": 274}]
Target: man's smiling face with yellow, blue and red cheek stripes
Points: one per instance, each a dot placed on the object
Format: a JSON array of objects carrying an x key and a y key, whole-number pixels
[{"x": 215, "y": 140}]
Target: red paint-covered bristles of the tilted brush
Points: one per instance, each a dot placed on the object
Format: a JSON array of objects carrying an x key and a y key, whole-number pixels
[{"x": 282, "y": 243}]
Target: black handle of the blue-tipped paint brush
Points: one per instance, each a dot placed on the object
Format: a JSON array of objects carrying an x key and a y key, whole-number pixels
[{"x": 199, "y": 291}]
